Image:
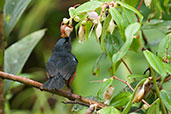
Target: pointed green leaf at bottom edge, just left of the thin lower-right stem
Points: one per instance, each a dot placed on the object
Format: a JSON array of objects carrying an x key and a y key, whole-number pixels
[{"x": 154, "y": 109}]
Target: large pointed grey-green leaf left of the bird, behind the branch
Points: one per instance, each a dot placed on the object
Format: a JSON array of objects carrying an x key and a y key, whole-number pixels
[{"x": 17, "y": 54}]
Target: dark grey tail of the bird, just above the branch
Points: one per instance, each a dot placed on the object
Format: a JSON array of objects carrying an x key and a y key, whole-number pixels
[{"x": 54, "y": 83}]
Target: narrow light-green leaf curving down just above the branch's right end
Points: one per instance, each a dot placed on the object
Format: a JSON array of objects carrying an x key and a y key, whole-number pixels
[{"x": 103, "y": 88}]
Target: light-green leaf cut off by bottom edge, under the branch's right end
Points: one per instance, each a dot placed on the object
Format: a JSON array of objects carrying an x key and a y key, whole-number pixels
[{"x": 109, "y": 110}]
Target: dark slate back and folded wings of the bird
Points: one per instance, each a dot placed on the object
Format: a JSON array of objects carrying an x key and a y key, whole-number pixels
[{"x": 63, "y": 64}]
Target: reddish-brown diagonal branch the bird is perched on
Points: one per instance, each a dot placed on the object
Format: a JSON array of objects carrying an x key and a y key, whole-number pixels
[{"x": 57, "y": 92}]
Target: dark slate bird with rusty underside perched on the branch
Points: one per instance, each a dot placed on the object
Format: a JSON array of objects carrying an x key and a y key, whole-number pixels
[{"x": 61, "y": 66}]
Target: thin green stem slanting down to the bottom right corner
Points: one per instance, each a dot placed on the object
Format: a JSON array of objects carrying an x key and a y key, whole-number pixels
[{"x": 157, "y": 90}]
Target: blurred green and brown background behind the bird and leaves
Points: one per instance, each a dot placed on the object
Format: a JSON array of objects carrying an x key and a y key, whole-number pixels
[{"x": 49, "y": 14}]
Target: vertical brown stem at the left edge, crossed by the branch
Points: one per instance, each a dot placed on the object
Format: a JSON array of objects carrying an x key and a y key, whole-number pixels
[{"x": 2, "y": 48}]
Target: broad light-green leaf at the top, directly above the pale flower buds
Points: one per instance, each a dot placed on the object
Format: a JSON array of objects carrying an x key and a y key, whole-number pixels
[{"x": 88, "y": 6}]
